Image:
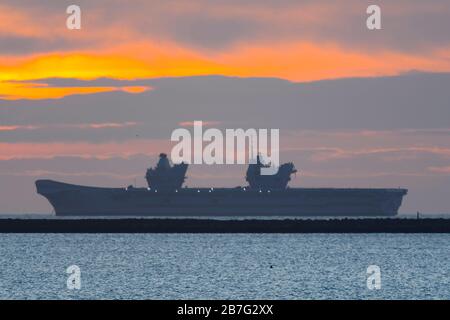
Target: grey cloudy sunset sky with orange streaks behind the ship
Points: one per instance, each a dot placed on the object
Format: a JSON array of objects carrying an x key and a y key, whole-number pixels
[{"x": 355, "y": 107}]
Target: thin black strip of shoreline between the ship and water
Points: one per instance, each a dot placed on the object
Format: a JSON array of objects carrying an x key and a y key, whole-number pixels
[{"x": 189, "y": 225}]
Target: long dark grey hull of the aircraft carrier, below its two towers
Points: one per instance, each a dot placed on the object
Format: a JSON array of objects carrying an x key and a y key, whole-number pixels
[{"x": 74, "y": 200}]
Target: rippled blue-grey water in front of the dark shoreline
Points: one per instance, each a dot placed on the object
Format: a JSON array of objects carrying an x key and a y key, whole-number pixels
[{"x": 173, "y": 266}]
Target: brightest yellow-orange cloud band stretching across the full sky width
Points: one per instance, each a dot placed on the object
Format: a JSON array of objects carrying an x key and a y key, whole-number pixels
[{"x": 292, "y": 61}]
